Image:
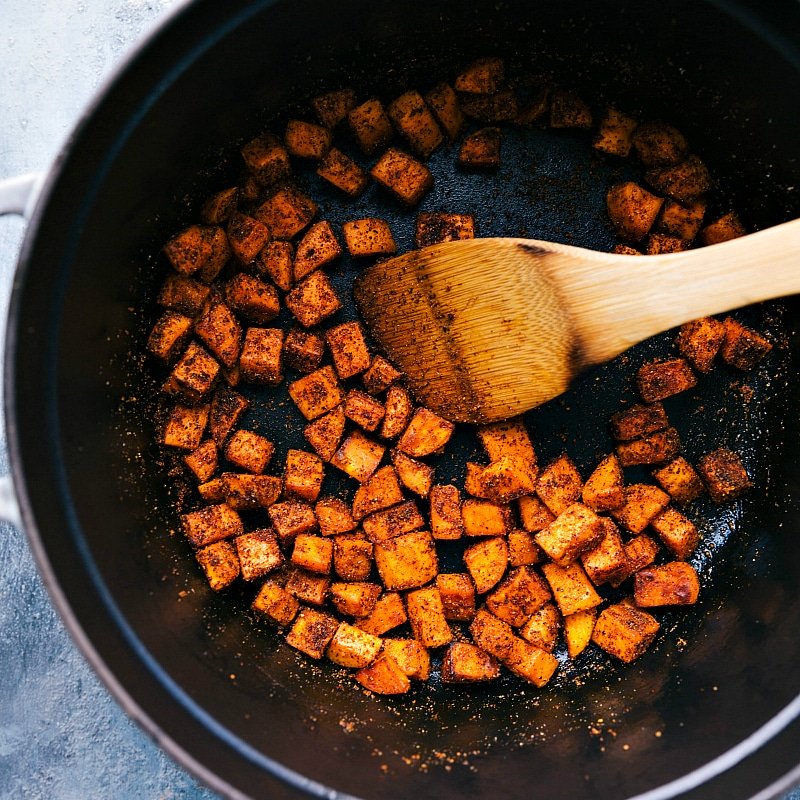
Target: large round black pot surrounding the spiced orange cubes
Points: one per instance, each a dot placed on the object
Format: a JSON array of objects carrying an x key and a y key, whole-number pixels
[{"x": 714, "y": 717}]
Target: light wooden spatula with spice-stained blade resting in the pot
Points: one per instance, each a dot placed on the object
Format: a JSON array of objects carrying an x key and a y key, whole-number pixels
[{"x": 485, "y": 329}]
